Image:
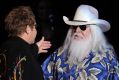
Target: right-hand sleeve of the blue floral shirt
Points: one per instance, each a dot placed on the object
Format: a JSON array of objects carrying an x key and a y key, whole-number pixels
[{"x": 103, "y": 66}]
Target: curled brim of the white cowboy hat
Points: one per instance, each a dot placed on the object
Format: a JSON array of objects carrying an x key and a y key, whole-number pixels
[{"x": 104, "y": 25}]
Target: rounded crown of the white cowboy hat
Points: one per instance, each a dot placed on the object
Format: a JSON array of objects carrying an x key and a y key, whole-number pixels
[{"x": 86, "y": 13}]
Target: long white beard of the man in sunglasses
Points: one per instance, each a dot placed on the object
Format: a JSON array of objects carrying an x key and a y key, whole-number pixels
[{"x": 78, "y": 50}]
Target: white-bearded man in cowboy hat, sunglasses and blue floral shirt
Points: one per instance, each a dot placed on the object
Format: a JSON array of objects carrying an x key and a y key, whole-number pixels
[{"x": 85, "y": 54}]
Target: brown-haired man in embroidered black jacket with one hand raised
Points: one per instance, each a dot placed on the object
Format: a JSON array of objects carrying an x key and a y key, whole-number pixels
[{"x": 21, "y": 50}]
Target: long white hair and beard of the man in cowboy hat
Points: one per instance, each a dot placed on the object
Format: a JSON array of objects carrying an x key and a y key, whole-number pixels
[{"x": 76, "y": 52}]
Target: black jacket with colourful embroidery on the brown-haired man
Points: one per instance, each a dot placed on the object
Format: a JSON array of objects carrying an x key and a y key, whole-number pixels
[{"x": 21, "y": 60}]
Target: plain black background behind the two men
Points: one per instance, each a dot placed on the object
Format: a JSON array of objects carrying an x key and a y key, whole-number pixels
[{"x": 56, "y": 29}]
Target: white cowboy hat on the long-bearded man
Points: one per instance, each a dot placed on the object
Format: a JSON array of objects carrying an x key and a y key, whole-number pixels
[{"x": 86, "y": 14}]
